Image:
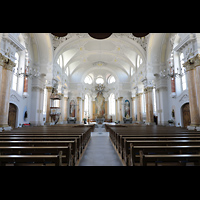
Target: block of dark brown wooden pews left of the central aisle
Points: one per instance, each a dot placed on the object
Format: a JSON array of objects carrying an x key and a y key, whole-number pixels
[{"x": 59, "y": 145}]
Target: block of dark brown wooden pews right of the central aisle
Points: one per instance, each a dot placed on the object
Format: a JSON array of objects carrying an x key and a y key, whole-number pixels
[{"x": 142, "y": 145}]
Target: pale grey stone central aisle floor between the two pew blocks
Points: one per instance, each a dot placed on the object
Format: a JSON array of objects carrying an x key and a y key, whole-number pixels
[{"x": 100, "y": 151}]
